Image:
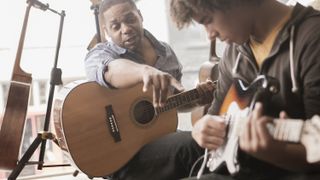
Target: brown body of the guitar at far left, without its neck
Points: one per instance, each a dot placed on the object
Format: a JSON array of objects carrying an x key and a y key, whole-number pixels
[{"x": 13, "y": 123}]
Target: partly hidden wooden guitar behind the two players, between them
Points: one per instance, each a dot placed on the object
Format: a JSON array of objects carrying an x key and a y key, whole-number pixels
[{"x": 208, "y": 71}]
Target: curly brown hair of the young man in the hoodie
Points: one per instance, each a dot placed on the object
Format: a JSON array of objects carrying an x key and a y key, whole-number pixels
[{"x": 181, "y": 11}]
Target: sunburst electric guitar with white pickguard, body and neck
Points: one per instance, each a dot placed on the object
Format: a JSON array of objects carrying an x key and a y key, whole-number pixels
[{"x": 235, "y": 111}]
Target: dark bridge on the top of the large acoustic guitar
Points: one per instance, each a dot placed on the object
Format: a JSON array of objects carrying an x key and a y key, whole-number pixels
[{"x": 112, "y": 124}]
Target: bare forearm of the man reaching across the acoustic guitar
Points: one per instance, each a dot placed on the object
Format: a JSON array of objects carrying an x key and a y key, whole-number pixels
[{"x": 124, "y": 73}]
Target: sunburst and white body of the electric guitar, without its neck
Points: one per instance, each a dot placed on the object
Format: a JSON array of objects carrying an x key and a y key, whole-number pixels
[{"x": 236, "y": 107}]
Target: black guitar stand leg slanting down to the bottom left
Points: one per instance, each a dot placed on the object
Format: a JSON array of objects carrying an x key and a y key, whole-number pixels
[{"x": 25, "y": 158}]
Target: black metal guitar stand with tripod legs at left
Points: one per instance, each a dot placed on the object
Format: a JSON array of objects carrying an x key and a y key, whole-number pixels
[{"x": 55, "y": 79}]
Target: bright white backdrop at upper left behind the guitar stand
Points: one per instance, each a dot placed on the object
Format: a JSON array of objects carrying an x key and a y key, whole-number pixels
[{"x": 41, "y": 37}]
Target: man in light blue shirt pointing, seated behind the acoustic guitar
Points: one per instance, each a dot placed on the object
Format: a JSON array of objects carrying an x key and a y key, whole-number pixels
[{"x": 133, "y": 55}]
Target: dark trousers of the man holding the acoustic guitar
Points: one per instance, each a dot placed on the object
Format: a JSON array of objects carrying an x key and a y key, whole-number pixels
[{"x": 168, "y": 158}]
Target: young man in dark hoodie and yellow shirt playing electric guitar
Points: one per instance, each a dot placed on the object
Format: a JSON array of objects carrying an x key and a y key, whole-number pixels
[{"x": 265, "y": 38}]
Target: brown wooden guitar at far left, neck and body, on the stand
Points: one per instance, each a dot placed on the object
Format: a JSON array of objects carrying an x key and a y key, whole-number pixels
[{"x": 13, "y": 121}]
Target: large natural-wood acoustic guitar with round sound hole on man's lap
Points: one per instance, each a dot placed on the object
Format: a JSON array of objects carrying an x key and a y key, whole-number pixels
[{"x": 102, "y": 129}]
